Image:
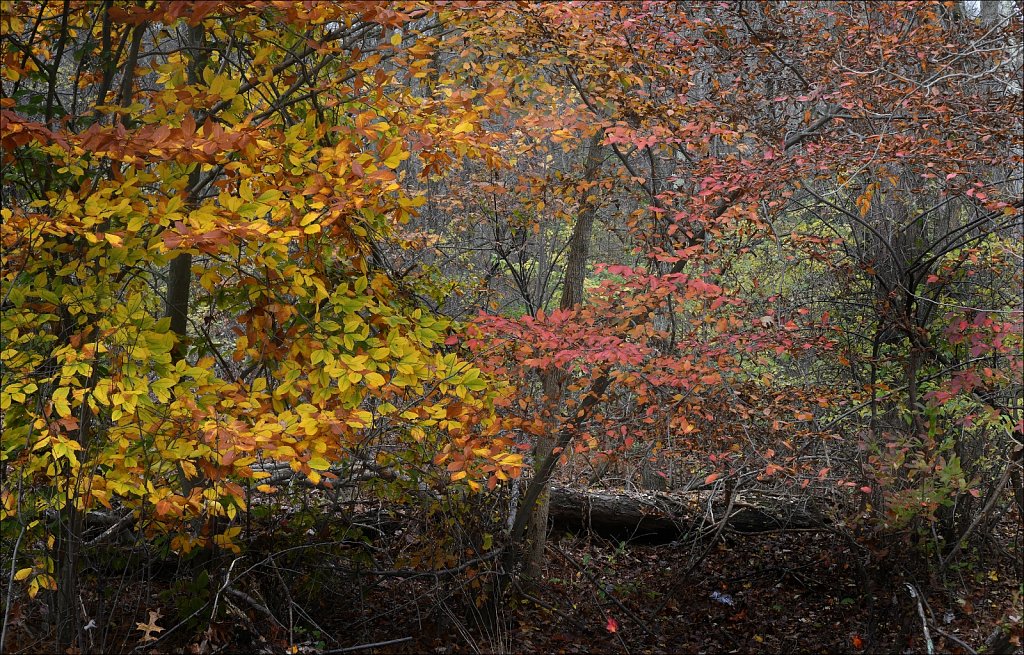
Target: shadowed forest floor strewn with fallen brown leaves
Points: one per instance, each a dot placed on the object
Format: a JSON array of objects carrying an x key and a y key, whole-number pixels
[{"x": 770, "y": 593}]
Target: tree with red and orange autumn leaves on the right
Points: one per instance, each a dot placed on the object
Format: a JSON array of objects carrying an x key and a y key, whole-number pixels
[{"x": 730, "y": 122}]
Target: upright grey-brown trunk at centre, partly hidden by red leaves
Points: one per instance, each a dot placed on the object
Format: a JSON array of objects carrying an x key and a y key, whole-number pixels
[{"x": 554, "y": 381}]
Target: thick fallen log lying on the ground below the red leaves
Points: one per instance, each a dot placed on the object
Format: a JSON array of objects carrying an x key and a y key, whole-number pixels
[{"x": 660, "y": 516}]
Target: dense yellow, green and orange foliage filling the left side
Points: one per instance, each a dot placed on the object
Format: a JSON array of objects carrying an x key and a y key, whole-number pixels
[{"x": 279, "y": 206}]
